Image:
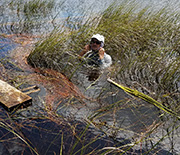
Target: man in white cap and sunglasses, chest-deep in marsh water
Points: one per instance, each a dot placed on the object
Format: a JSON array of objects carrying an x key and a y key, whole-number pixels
[{"x": 95, "y": 53}]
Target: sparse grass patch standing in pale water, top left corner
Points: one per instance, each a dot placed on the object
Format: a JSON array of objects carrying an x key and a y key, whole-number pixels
[{"x": 26, "y": 16}]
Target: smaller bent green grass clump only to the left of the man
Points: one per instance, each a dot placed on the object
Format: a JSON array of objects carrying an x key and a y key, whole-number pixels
[{"x": 60, "y": 49}]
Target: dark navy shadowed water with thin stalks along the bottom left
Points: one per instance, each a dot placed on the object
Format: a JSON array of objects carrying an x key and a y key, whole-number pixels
[{"x": 45, "y": 136}]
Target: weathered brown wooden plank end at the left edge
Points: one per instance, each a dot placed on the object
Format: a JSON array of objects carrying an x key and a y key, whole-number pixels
[{"x": 10, "y": 96}]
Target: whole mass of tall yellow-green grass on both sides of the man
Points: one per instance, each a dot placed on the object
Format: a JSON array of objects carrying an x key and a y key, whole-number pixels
[{"x": 143, "y": 44}]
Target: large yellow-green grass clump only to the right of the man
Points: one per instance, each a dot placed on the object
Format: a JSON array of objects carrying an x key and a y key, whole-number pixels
[{"x": 145, "y": 45}]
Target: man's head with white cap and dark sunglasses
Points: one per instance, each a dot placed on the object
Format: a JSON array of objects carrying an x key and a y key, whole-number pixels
[{"x": 97, "y": 41}]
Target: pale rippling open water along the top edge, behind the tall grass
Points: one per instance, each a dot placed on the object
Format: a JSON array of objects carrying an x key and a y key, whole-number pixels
[{"x": 39, "y": 17}]
